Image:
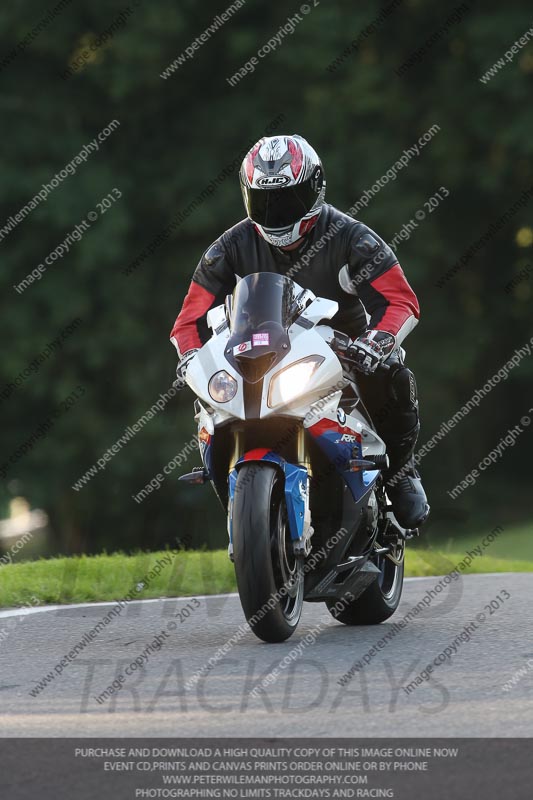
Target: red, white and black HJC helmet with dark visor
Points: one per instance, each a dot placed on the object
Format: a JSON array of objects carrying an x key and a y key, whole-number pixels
[{"x": 283, "y": 188}]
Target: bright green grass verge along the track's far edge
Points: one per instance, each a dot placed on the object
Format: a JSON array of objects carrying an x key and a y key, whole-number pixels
[{"x": 167, "y": 574}]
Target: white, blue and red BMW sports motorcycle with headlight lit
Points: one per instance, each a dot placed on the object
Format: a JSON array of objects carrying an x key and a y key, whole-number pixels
[{"x": 295, "y": 461}]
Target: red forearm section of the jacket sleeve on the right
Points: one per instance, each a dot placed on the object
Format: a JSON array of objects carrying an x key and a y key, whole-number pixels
[{"x": 390, "y": 301}]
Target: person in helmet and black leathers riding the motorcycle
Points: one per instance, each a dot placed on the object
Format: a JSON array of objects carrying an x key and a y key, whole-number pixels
[{"x": 290, "y": 230}]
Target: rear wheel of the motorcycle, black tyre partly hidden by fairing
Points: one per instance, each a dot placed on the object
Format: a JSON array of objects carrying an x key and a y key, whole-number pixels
[{"x": 382, "y": 598}]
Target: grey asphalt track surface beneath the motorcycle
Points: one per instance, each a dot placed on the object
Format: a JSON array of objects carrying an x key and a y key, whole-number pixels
[{"x": 464, "y": 696}]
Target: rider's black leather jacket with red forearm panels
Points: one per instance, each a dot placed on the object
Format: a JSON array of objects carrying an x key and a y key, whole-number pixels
[{"x": 340, "y": 258}]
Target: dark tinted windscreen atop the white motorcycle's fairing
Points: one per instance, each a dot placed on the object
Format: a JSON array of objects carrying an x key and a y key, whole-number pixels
[{"x": 262, "y": 299}]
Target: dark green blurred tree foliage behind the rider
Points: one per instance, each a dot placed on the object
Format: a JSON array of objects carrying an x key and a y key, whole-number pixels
[{"x": 175, "y": 136}]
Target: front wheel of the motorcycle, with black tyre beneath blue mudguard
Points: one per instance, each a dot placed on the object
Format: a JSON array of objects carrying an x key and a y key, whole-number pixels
[{"x": 270, "y": 578}]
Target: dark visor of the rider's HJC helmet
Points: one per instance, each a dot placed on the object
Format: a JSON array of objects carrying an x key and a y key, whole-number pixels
[{"x": 280, "y": 208}]
